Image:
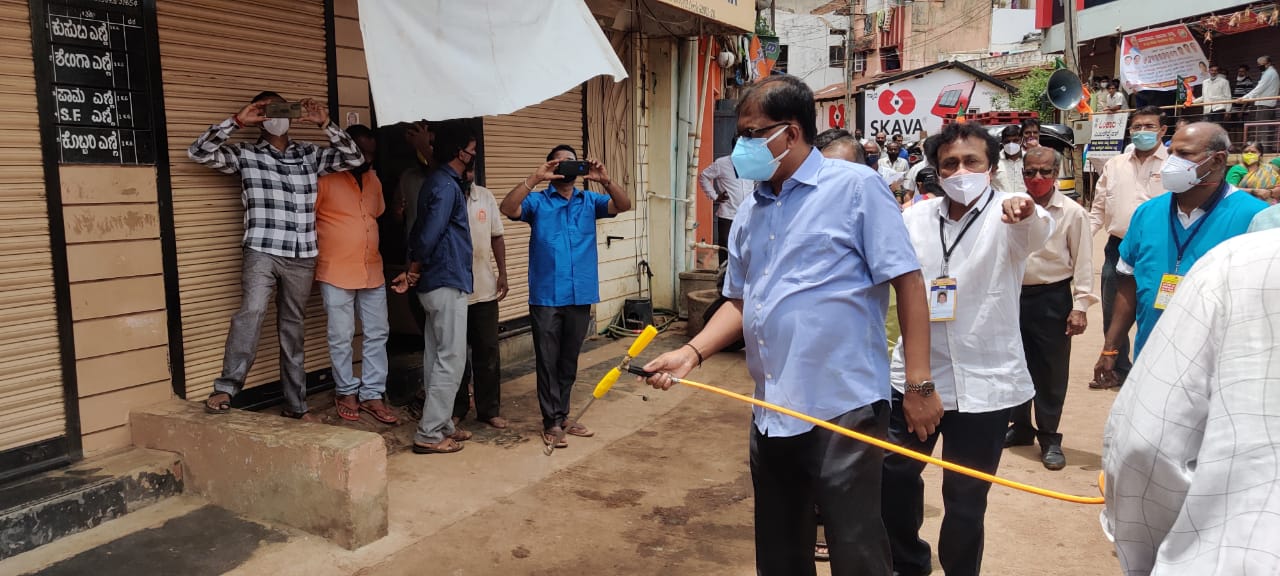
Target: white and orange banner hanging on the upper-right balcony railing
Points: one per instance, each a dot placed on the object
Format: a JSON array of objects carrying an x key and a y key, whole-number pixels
[{"x": 1156, "y": 58}]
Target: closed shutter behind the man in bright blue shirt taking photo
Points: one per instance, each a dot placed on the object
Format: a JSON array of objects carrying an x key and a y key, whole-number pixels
[{"x": 515, "y": 145}]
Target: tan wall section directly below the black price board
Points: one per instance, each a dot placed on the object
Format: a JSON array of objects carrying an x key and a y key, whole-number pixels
[{"x": 118, "y": 301}]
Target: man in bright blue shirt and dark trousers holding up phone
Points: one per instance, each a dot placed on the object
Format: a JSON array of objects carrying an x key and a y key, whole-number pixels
[{"x": 564, "y": 273}]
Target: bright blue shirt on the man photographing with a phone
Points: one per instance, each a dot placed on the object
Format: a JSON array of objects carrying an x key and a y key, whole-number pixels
[{"x": 564, "y": 268}]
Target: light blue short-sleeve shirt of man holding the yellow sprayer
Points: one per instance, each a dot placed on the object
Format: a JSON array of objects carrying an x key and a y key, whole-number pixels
[{"x": 812, "y": 267}]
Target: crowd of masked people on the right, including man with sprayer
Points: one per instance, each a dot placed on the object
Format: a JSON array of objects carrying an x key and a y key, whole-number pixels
[{"x": 993, "y": 272}]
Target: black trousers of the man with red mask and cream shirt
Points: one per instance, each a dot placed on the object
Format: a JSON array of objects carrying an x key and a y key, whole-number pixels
[{"x": 1049, "y": 358}]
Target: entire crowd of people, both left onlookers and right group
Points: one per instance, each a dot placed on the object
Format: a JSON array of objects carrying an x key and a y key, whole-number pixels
[{"x": 991, "y": 267}]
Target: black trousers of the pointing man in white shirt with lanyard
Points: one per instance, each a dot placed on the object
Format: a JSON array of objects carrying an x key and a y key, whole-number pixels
[{"x": 972, "y": 440}]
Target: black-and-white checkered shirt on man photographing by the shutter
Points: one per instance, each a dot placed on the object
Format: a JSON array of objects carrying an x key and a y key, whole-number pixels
[{"x": 278, "y": 189}]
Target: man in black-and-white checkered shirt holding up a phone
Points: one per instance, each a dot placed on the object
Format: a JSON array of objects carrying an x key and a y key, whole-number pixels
[{"x": 280, "y": 185}]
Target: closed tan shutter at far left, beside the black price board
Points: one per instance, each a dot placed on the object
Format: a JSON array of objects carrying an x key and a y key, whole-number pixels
[{"x": 31, "y": 391}]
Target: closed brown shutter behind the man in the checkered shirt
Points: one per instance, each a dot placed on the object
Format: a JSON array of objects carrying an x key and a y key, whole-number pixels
[{"x": 216, "y": 56}]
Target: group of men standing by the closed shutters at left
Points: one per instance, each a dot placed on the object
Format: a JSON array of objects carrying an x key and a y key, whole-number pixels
[{"x": 312, "y": 216}]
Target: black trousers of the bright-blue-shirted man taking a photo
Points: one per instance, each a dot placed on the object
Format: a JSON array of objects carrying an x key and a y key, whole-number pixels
[{"x": 559, "y": 335}]
